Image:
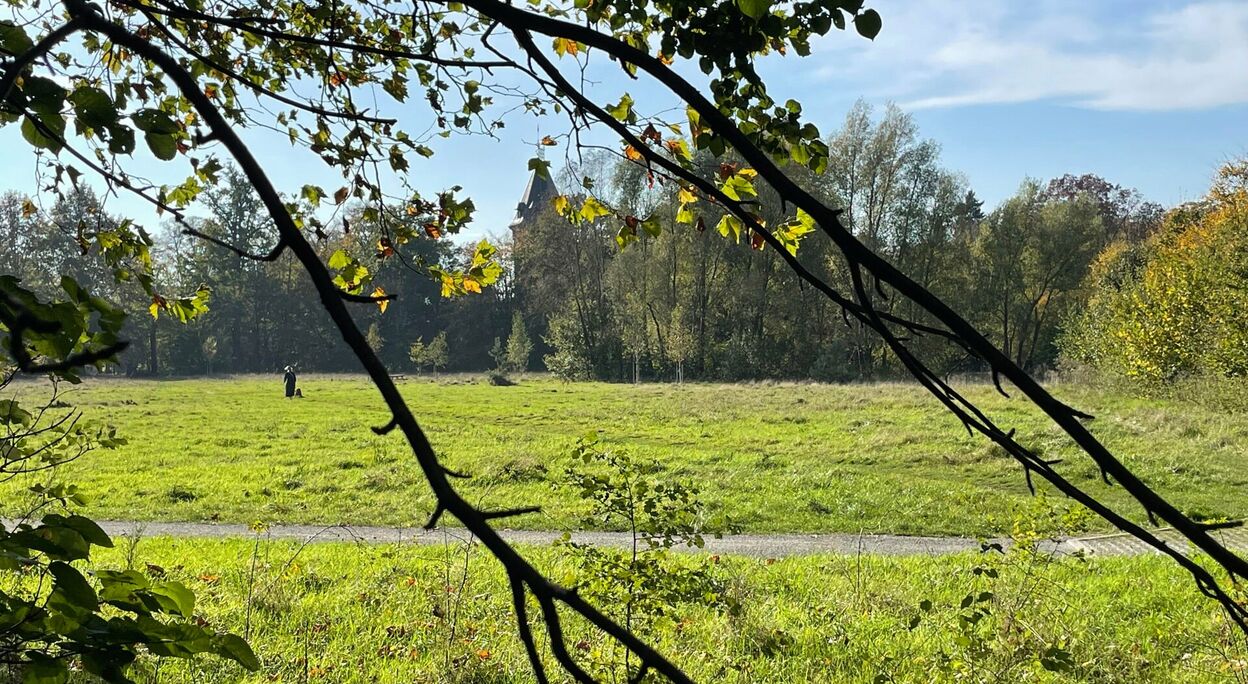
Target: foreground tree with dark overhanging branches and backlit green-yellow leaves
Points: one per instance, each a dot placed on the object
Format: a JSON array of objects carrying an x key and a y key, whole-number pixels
[{"x": 178, "y": 77}]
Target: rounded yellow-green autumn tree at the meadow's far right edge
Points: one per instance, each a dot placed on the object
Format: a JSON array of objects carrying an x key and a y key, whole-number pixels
[{"x": 1176, "y": 305}]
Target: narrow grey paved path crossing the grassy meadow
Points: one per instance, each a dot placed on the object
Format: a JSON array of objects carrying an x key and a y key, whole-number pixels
[{"x": 762, "y": 546}]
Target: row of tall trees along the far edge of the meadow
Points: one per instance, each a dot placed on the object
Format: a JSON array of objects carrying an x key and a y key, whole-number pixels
[{"x": 1074, "y": 270}]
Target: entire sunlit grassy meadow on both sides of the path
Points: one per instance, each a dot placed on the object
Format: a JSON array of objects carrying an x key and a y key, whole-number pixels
[{"x": 784, "y": 457}]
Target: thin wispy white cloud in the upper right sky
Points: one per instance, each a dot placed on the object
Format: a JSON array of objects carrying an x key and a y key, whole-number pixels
[{"x": 1121, "y": 57}]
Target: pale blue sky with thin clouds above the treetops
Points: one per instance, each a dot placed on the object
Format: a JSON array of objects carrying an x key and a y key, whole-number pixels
[{"x": 1149, "y": 94}]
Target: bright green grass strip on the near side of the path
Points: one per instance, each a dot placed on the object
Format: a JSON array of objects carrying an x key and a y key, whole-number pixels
[{"x": 349, "y": 613}]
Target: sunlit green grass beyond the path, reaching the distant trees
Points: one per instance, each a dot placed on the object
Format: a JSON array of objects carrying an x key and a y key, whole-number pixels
[{"x": 778, "y": 457}]
